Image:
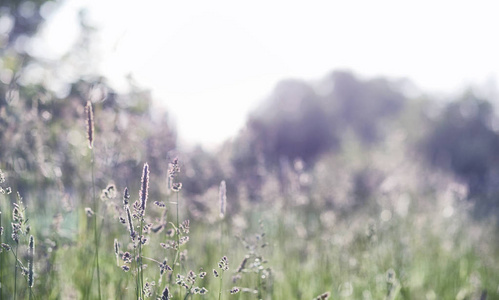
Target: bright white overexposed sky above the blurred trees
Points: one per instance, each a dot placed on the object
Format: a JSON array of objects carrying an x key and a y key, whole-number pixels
[{"x": 211, "y": 62}]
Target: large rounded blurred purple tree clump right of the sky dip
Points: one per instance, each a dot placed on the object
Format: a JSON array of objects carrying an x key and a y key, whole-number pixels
[{"x": 302, "y": 121}]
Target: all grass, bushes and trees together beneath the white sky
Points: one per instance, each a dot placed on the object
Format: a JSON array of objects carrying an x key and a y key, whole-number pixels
[{"x": 346, "y": 189}]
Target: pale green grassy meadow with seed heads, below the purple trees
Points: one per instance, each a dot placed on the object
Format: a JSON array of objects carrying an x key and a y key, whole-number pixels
[{"x": 407, "y": 234}]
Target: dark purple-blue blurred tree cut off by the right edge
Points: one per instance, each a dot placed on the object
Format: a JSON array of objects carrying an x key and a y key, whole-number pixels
[{"x": 464, "y": 141}]
